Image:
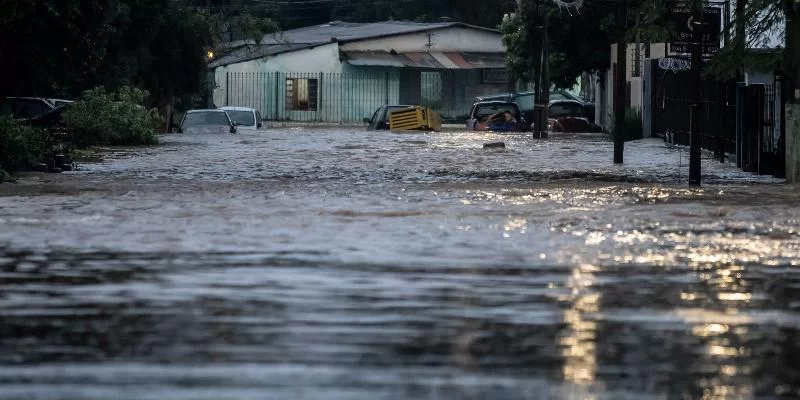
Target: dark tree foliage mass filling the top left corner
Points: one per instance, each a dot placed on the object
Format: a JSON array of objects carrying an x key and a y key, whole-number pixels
[{"x": 61, "y": 48}]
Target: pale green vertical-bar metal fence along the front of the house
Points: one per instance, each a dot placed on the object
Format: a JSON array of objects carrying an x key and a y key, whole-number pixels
[{"x": 351, "y": 97}]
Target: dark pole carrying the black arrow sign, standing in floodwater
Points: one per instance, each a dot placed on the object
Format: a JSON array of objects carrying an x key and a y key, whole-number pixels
[{"x": 697, "y": 111}]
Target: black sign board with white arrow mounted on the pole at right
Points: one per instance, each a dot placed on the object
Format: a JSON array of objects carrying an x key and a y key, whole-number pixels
[{"x": 682, "y": 24}]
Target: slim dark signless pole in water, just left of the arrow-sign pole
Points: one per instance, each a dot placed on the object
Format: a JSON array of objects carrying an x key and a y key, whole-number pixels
[{"x": 620, "y": 84}]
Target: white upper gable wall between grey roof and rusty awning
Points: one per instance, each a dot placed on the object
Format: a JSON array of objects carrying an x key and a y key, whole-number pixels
[{"x": 448, "y": 39}]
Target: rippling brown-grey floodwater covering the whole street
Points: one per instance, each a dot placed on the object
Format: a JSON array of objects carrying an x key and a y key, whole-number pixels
[{"x": 310, "y": 263}]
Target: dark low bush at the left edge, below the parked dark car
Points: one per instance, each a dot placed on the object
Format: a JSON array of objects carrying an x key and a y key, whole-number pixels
[{"x": 21, "y": 147}]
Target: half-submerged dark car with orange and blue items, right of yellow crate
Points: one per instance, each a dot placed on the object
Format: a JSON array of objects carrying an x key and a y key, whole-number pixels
[{"x": 497, "y": 116}]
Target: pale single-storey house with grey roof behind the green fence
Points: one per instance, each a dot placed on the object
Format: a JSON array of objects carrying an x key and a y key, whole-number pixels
[{"x": 342, "y": 72}]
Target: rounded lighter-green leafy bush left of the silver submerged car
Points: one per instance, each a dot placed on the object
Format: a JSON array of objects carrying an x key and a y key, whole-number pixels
[{"x": 100, "y": 117}]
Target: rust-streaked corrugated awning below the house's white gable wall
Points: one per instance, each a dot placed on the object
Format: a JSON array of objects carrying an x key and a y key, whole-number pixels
[{"x": 436, "y": 60}]
